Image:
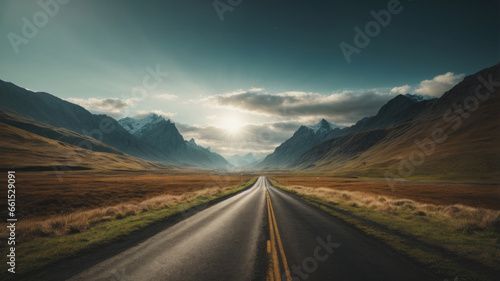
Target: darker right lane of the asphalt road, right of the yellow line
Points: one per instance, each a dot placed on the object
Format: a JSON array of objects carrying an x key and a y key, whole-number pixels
[{"x": 318, "y": 247}]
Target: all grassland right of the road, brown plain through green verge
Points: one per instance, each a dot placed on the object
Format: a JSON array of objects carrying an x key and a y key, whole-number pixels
[{"x": 451, "y": 228}]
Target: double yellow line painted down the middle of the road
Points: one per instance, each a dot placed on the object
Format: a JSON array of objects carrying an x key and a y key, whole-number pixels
[{"x": 273, "y": 226}]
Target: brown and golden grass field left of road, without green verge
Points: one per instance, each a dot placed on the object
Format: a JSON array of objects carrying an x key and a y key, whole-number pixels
[{"x": 49, "y": 207}]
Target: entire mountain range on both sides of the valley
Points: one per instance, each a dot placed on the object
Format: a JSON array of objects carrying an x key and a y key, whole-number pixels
[{"x": 454, "y": 137}]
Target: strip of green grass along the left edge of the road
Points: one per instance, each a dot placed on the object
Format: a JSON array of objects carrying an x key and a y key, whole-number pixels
[{"x": 42, "y": 251}]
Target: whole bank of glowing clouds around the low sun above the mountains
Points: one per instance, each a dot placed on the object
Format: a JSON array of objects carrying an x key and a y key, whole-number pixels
[{"x": 284, "y": 112}]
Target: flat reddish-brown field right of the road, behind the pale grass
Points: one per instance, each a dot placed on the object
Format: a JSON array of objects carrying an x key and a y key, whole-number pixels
[{"x": 474, "y": 195}]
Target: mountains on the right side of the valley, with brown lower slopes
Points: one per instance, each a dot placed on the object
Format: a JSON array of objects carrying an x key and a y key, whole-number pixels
[{"x": 454, "y": 137}]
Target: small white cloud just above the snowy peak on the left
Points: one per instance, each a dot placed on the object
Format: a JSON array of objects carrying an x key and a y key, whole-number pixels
[{"x": 114, "y": 107}]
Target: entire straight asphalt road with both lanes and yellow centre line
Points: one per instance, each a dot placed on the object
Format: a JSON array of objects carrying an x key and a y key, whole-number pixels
[{"x": 230, "y": 241}]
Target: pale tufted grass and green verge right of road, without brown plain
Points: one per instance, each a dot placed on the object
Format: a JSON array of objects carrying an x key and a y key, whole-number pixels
[{"x": 452, "y": 241}]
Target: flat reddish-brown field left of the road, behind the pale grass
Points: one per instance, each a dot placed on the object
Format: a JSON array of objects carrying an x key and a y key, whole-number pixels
[{"x": 41, "y": 194}]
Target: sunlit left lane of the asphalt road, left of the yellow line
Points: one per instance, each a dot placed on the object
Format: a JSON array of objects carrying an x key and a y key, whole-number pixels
[{"x": 218, "y": 243}]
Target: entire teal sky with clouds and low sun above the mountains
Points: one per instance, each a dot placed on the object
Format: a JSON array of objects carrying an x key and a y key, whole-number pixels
[{"x": 241, "y": 76}]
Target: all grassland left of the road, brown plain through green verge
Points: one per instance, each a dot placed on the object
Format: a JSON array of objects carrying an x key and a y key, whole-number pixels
[{"x": 48, "y": 239}]
